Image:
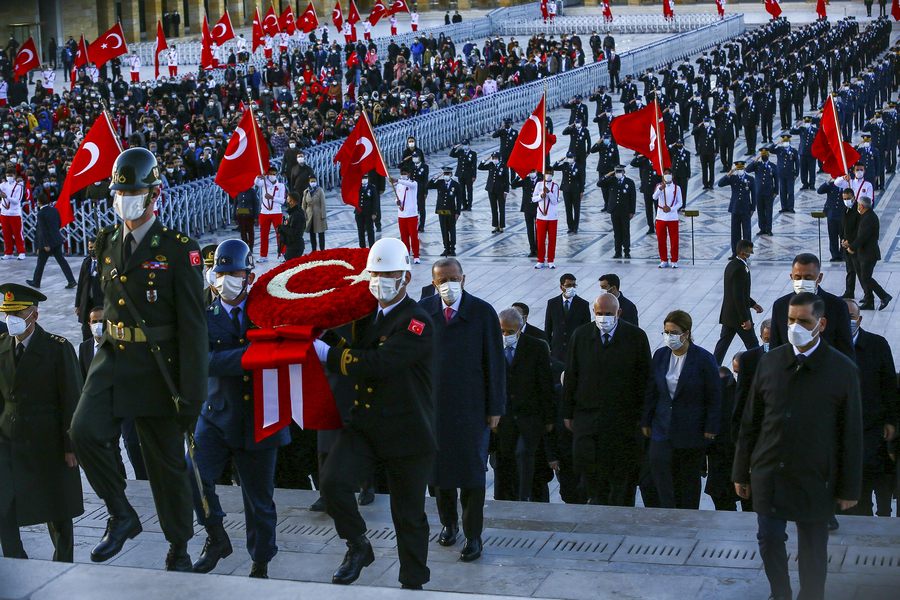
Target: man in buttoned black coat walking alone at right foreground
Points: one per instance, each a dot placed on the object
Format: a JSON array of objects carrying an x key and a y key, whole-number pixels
[{"x": 800, "y": 446}]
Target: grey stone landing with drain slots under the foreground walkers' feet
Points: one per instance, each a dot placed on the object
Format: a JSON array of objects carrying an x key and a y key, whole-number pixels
[{"x": 531, "y": 550}]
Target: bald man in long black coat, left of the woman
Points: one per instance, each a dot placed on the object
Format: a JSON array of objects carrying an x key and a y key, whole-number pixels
[{"x": 607, "y": 369}]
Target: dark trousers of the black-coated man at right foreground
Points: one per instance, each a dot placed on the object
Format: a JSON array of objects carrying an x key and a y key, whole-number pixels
[{"x": 812, "y": 556}]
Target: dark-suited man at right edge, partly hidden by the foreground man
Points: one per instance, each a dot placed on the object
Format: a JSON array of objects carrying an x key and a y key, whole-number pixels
[{"x": 880, "y": 414}]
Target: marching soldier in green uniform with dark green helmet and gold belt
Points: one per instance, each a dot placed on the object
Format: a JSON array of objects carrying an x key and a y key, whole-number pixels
[{"x": 153, "y": 301}]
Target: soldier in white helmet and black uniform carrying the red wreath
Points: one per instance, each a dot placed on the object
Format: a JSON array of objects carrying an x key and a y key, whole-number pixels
[{"x": 391, "y": 421}]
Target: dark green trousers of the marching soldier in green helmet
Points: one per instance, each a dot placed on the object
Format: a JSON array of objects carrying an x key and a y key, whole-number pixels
[{"x": 95, "y": 433}]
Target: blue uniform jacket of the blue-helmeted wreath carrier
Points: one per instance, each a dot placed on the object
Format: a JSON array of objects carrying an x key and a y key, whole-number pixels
[{"x": 229, "y": 404}]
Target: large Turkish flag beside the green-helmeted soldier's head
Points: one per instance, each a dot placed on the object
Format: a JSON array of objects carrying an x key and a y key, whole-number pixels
[{"x": 92, "y": 162}]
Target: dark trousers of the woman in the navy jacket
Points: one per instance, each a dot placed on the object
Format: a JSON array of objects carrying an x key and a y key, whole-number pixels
[{"x": 676, "y": 473}]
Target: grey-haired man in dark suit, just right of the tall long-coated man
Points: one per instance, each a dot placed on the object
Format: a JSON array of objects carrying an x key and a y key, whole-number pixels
[{"x": 530, "y": 408}]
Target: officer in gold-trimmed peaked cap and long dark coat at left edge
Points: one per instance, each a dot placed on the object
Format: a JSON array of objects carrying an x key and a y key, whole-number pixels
[{"x": 40, "y": 381}]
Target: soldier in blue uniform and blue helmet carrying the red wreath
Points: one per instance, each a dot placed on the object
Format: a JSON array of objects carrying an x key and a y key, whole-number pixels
[{"x": 225, "y": 431}]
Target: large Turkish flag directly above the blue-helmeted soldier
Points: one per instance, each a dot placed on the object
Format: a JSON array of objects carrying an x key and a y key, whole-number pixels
[{"x": 246, "y": 157}]
